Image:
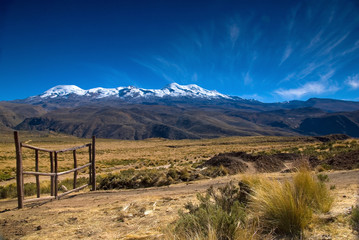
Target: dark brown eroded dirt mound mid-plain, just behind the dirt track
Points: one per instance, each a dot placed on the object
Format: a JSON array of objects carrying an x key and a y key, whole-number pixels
[{"x": 237, "y": 161}]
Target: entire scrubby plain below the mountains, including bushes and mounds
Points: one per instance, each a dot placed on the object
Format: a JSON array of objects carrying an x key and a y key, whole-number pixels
[{"x": 281, "y": 187}]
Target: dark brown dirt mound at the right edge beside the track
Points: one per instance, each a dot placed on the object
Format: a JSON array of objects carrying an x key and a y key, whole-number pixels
[{"x": 344, "y": 161}]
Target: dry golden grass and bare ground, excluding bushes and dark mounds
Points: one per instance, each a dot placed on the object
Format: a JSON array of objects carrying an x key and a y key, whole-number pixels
[{"x": 144, "y": 213}]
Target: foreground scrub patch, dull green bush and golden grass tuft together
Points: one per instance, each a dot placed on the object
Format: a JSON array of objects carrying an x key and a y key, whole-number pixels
[{"x": 254, "y": 209}]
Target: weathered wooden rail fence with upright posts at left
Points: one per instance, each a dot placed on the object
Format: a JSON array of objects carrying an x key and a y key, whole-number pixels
[{"x": 54, "y": 174}]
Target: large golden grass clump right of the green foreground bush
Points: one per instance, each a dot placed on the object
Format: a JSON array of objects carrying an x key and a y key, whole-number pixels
[{"x": 287, "y": 207}]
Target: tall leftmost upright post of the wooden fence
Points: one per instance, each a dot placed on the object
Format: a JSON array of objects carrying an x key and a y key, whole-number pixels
[{"x": 19, "y": 177}]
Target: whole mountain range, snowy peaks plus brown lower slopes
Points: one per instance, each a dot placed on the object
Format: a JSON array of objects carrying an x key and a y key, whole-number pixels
[{"x": 174, "y": 112}]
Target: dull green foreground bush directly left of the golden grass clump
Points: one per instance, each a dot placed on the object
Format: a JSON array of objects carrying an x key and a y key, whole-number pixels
[{"x": 219, "y": 215}]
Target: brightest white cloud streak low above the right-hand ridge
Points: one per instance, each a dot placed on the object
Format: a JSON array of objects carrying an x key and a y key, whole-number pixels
[{"x": 316, "y": 88}]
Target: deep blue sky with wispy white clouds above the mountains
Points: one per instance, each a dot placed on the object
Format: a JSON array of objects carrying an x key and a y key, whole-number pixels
[{"x": 271, "y": 51}]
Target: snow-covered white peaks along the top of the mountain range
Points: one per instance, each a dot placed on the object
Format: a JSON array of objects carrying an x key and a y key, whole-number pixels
[{"x": 171, "y": 90}]
